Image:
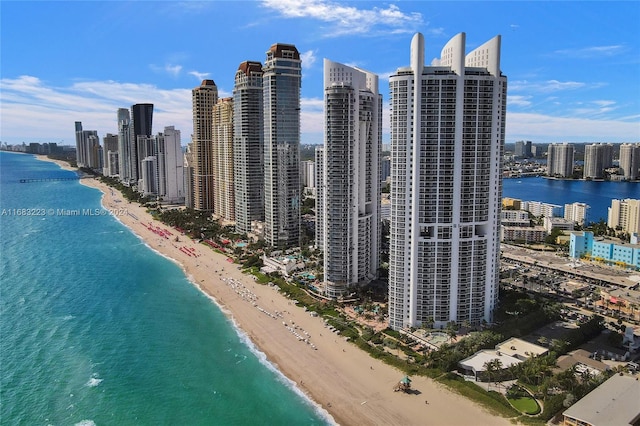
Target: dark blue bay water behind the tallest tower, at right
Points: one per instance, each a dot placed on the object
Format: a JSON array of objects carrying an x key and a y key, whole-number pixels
[{"x": 597, "y": 195}]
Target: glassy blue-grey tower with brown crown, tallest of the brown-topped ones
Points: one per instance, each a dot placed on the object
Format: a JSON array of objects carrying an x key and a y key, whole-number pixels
[{"x": 281, "y": 90}]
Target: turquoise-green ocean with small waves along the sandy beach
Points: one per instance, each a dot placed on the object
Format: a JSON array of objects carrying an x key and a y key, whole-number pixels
[{"x": 98, "y": 329}]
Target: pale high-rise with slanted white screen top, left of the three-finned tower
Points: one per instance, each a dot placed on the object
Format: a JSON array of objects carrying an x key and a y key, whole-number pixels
[{"x": 349, "y": 202}]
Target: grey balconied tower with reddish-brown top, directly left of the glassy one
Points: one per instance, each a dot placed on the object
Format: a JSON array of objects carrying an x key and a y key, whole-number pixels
[{"x": 248, "y": 145}]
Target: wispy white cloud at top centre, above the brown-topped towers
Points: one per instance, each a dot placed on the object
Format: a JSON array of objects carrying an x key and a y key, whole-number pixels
[{"x": 348, "y": 19}]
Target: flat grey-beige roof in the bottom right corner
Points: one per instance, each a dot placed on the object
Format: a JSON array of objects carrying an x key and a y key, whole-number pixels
[{"x": 615, "y": 402}]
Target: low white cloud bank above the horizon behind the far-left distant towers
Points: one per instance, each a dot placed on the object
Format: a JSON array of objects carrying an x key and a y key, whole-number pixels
[{"x": 32, "y": 111}]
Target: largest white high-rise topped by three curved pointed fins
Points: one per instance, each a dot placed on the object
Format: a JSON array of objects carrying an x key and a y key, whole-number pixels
[{"x": 447, "y": 137}]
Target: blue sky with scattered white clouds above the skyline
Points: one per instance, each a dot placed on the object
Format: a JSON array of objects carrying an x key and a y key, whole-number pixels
[{"x": 573, "y": 68}]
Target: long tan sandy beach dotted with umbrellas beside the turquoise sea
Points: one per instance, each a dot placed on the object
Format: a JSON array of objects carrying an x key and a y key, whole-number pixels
[{"x": 353, "y": 387}]
